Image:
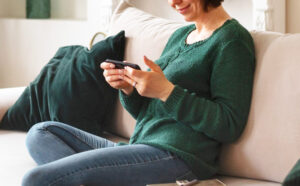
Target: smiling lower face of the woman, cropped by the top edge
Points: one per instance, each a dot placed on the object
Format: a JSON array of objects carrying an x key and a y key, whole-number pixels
[{"x": 190, "y": 9}]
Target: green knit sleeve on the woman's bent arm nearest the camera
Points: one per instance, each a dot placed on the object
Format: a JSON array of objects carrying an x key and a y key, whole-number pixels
[{"x": 224, "y": 115}]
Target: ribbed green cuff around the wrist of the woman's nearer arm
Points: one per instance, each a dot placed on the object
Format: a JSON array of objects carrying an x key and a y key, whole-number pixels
[{"x": 174, "y": 98}]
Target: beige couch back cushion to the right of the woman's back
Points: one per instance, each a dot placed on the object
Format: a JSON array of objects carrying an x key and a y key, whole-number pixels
[{"x": 269, "y": 146}]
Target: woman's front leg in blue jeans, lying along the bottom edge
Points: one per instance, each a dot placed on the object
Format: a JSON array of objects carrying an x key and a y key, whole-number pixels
[{"x": 128, "y": 165}]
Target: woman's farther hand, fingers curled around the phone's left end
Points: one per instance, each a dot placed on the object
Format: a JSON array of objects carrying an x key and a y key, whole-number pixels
[{"x": 115, "y": 78}]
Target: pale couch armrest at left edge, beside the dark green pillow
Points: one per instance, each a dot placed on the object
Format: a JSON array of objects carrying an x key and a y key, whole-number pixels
[{"x": 8, "y": 96}]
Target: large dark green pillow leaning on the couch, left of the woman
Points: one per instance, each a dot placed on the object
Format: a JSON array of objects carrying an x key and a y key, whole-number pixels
[{"x": 70, "y": 89}]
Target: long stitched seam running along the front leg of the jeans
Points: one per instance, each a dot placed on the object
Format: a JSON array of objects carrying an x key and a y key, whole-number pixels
[{"x": 170, "y": 157}]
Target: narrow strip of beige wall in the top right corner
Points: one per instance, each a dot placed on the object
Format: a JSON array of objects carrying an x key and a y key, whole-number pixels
[{"x": 293, "y": 16}]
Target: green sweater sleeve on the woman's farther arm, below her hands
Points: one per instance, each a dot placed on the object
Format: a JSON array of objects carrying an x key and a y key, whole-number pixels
[{"x": 132, "y": 103}]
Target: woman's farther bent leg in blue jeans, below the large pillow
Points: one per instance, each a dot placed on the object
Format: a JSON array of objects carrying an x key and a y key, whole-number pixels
[{"x": 50, "y": 141}]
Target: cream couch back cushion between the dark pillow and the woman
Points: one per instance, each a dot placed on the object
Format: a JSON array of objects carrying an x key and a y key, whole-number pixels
[{"x": 145, "y": 35}]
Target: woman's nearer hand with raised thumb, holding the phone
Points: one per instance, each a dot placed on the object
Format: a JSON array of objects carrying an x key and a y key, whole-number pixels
[{"x": 152, "y": 84}]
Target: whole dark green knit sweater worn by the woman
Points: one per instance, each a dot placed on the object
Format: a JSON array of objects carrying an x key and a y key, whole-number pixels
[{"x": 210, "y": 102}]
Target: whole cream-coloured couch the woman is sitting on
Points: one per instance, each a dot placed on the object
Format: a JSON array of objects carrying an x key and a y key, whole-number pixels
[{"x": 270, "y": 144}]
